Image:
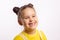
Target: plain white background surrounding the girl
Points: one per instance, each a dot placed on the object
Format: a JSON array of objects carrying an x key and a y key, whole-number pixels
[{"x": 48, "y": 12}]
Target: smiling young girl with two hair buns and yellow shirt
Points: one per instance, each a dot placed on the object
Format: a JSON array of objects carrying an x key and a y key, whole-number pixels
[{"x": 28, "y": 19}]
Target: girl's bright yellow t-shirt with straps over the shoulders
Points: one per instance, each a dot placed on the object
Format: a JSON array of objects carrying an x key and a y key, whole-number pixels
[{"x": 37, "y": 36}]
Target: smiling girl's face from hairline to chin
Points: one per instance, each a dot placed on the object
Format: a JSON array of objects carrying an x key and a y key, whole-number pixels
[{"x": 29, "y": 19}]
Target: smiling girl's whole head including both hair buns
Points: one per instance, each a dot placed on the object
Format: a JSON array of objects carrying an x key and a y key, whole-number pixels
[{"x": 27, "y": 16}]
